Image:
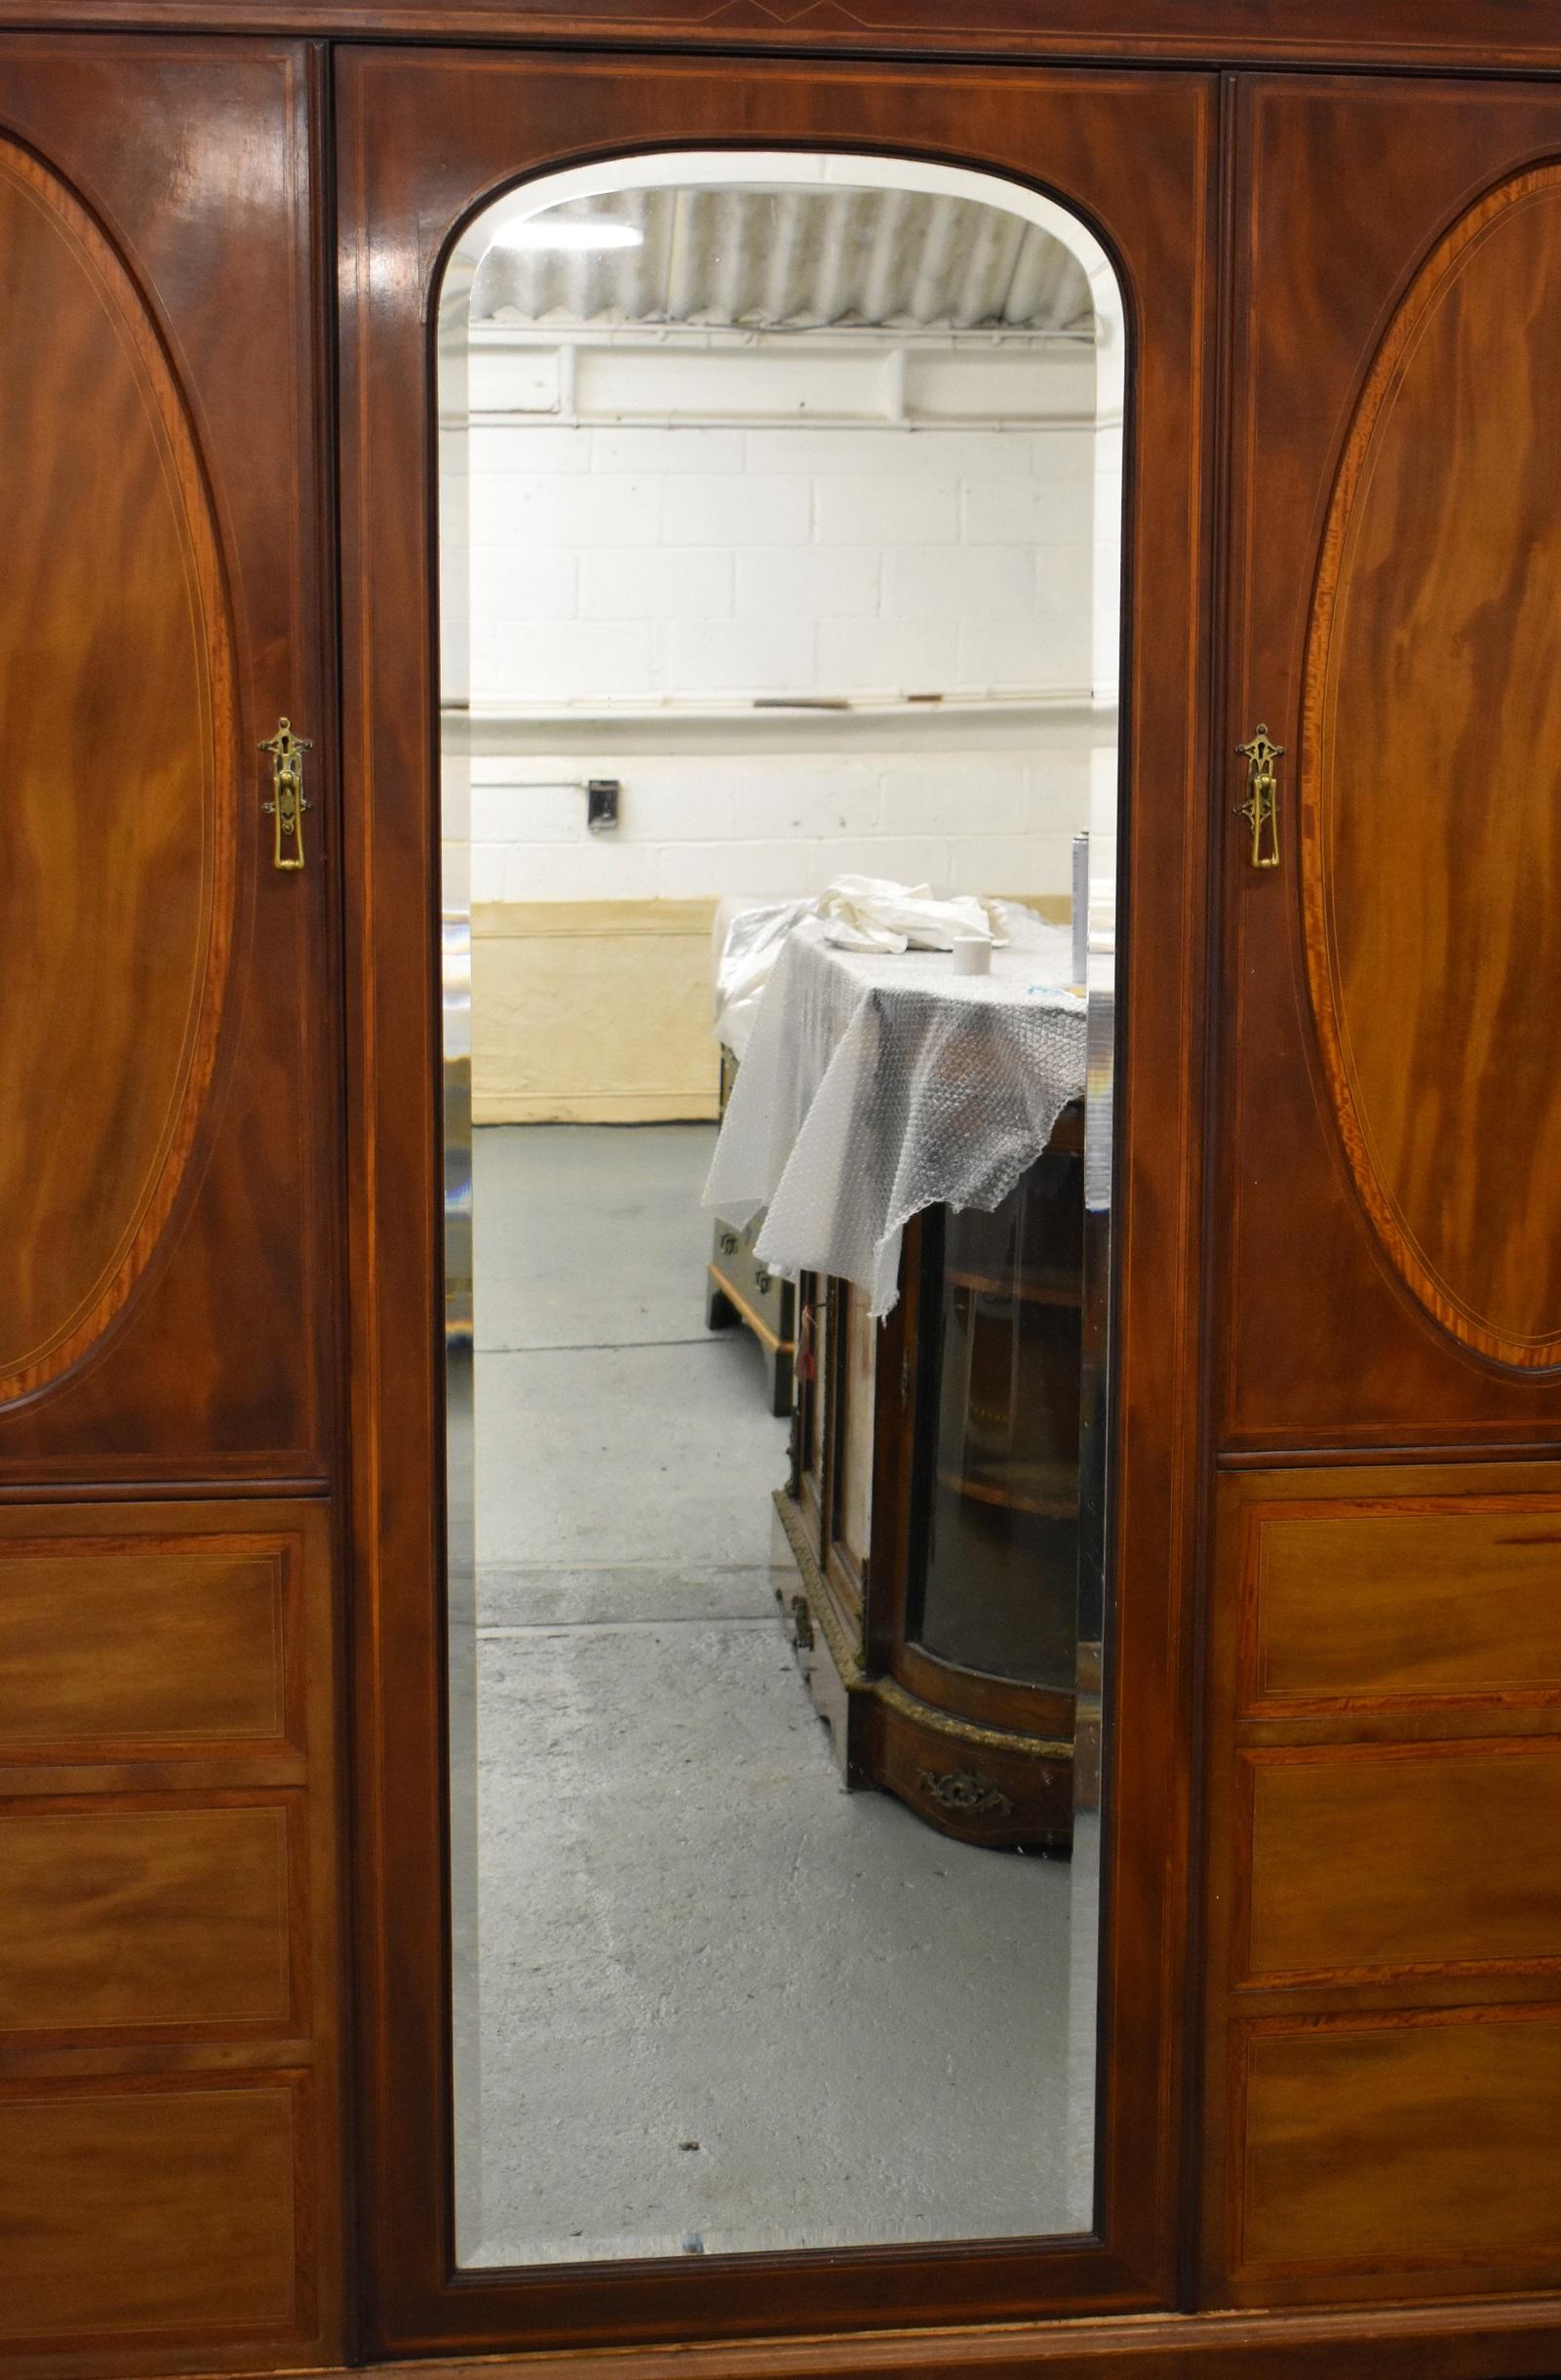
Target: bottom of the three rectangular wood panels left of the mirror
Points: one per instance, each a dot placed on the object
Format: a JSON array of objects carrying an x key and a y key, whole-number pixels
[{"x": 151, "y": 2210}]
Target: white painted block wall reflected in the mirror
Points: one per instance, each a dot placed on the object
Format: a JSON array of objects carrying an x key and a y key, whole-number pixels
[{"x": 617, "y": 565}]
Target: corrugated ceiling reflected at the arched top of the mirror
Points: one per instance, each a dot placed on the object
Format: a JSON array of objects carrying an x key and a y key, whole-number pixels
[{"x": 796, "y": 261}]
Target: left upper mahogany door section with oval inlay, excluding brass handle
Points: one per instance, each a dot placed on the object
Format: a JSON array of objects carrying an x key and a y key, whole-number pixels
[{"x": 168, "y": 1184}]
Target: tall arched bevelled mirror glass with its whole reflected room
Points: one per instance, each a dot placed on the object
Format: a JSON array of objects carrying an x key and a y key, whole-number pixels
[{"x": 779, "y": 520}]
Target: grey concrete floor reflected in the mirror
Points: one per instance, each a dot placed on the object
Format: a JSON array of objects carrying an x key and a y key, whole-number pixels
[{"x": 717, "y": 2003}]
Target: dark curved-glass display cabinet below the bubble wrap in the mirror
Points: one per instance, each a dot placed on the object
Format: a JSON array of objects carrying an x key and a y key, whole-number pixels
[{"x": 934, "y": 1520}]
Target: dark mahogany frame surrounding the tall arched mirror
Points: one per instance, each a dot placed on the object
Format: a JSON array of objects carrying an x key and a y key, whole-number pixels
[{"x": 425, "y": 142}]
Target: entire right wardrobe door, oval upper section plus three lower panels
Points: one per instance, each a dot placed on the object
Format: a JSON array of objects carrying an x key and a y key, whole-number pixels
[{"x": 1386, "y": 1934}]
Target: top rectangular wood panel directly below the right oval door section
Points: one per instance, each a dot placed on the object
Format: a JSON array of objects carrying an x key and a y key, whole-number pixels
[{"x": 1415, "y": 1601}]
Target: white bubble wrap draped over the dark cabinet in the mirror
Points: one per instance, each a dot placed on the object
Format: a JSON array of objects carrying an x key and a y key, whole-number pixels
[{"x": 877, "y": 1086}]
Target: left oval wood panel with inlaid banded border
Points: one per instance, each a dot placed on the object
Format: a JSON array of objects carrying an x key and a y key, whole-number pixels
[{"x": 115, "y": 782}]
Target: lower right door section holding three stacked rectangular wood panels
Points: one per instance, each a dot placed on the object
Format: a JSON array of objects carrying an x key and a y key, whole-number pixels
[{"x": 1384, "y": 1910}]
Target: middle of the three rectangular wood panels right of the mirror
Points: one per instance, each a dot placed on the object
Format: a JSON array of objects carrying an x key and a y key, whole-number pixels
[{"x": 1403, "y": 1860}]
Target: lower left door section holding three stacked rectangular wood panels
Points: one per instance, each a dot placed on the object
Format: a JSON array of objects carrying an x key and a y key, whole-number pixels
[{"x": 170, "y": 2060}]
